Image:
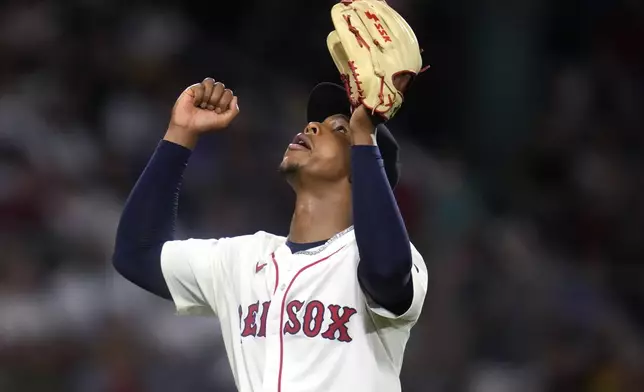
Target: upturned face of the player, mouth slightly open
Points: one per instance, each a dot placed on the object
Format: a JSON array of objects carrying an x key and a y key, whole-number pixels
[{"x": 321, "y": 151}]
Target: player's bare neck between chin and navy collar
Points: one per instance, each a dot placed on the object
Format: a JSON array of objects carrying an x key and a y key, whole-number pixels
[{"x": 319, "y": 217}]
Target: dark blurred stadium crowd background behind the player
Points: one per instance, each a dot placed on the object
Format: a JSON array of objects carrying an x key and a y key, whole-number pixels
[{"x": 522, "y": 184}]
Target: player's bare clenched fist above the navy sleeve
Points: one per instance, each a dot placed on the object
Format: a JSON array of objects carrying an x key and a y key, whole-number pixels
[{"x": 203, "y": 107}]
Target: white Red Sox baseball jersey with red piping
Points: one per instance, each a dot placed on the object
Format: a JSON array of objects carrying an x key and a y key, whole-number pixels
[{"x": 293, "y": 322}]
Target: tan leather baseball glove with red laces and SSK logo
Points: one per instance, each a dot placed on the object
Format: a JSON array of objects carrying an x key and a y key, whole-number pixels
[{"x": 372, "y": 45}]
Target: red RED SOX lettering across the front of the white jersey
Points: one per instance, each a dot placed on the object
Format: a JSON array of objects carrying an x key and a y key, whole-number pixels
[{"x": 310, "y": 322}]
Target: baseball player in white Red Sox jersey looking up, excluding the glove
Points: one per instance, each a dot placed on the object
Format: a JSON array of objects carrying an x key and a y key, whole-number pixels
[{"x": 327, "y": 308}]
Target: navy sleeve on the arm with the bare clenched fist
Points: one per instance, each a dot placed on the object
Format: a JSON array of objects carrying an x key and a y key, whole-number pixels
[{"x": 148, "y": 219}]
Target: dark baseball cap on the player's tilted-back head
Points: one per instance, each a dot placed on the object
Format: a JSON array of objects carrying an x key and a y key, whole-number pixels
[{"x": 328, "y": 99}]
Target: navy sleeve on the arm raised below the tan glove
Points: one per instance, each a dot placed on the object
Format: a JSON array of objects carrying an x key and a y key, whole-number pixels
[{"x": 381, "y": 236}]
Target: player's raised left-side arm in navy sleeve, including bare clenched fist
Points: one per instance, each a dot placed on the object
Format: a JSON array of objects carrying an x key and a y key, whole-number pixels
[{"x": 149, "y": 215}]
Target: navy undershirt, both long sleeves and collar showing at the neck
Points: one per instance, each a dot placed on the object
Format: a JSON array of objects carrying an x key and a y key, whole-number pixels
[{"x": 149, "y": 216}]
